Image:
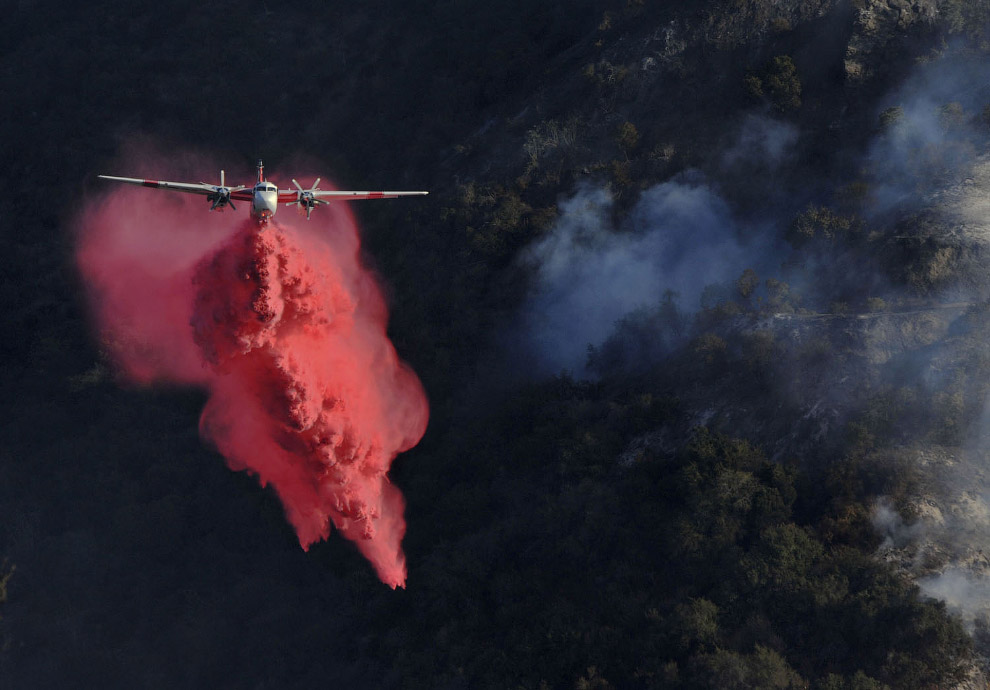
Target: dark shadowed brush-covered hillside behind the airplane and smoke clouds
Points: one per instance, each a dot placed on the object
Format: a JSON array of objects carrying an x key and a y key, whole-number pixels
[{"x": 561, "y": 533}]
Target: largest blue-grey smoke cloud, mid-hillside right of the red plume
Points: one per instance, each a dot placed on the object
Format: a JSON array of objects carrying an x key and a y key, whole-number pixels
[{"x": 680, "y": 236}]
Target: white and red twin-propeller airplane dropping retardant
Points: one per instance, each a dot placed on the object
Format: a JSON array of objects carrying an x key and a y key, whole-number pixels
[{"x": 264, "y": 196}]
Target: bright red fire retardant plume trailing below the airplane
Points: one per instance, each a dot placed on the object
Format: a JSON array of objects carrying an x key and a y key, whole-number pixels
[{"x": 286, "y": 330}]
